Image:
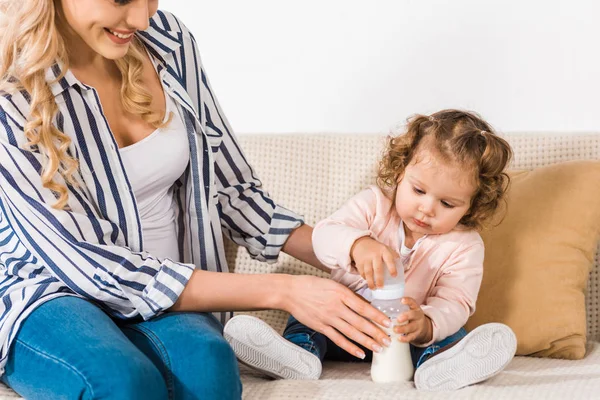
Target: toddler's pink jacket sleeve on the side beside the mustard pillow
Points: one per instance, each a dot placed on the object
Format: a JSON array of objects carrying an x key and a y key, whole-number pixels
[{"x": 452, "y": 300}]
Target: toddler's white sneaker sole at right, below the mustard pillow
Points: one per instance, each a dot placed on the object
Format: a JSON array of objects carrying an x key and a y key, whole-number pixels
[{"x": 483, "y": 353}]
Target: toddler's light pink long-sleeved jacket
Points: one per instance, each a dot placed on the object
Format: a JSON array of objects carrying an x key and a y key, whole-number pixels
[{"x": 444, "y": 273}]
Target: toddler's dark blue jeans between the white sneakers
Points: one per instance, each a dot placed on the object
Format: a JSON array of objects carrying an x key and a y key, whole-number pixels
[{"x": 321, "y": 346}]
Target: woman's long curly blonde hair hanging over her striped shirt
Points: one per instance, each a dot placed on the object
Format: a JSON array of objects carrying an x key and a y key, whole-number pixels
[{"x": 30, "y": 43}]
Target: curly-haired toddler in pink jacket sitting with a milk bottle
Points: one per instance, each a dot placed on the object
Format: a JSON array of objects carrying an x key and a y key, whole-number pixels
[{"x": 437, "y": 185}]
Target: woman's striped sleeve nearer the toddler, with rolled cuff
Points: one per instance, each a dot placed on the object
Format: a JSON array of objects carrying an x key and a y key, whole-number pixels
[{"x": 248, "y": 215}]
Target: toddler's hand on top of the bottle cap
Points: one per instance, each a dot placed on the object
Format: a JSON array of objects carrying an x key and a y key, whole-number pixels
[{"x": 371, "y": 258}]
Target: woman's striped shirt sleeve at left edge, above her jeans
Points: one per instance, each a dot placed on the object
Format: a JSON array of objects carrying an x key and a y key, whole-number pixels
[{"x": 78, "y": 248}]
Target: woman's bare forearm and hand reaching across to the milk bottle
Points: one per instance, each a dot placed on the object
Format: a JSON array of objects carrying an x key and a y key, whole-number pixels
[{"x": 322, "y": 304}]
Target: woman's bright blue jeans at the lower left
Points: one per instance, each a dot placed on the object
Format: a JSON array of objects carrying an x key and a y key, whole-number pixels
[{"x": 68, "y": 348}]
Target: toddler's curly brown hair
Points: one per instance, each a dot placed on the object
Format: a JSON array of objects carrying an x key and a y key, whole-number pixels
[{"x": 459, "y": 137}]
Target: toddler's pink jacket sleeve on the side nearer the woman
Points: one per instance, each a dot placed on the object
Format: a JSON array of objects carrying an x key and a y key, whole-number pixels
[{"x": 334, "y": 236}]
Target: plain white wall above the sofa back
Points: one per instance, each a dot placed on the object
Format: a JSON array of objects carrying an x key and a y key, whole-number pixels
[{"x": 364, "y": 65}]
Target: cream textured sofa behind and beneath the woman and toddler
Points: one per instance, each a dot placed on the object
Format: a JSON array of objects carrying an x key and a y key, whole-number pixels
[{"x": 314, "y": 175}]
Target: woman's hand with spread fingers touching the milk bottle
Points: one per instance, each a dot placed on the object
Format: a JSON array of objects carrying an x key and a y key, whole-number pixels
[{"x": 335, "y": 311}]
